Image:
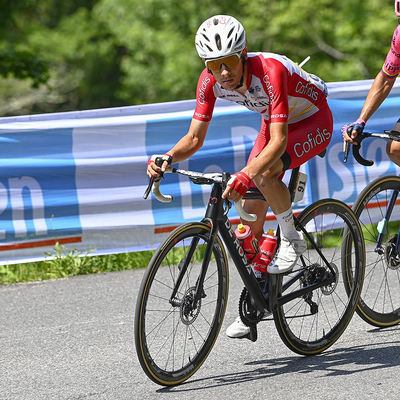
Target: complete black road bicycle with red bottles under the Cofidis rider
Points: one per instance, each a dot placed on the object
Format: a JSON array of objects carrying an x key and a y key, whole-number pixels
[{"x": 183, "y": 295}]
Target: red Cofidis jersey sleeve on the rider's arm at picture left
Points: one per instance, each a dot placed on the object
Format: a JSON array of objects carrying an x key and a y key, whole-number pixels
[{"x": 205, "y": 97}]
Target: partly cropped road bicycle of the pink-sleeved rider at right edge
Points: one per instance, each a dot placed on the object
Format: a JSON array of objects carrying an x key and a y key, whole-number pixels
[{"x": 375, "y": 207}]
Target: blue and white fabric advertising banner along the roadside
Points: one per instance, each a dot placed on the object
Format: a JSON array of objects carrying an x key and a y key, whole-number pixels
[{"x": 78, "y": 178}]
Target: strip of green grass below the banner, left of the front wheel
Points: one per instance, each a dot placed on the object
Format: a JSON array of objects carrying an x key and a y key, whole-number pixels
[{"x": 70, "y": 264}]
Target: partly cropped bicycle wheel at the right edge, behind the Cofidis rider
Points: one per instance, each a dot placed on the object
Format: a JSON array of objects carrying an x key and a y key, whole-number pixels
[{"x": 379, "y": 303}]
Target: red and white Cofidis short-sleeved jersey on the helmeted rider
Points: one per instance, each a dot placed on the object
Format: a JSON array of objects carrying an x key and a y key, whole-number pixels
[{"x": 277, "y": 88}]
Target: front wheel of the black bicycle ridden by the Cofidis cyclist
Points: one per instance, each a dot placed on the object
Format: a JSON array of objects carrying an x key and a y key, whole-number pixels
[{"x": 172, "y": 341}]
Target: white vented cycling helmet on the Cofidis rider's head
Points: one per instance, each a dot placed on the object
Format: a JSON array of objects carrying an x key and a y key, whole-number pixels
[{"x": 220, "y": 36}]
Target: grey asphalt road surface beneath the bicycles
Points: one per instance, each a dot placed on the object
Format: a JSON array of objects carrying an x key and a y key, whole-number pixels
[{"x": 73, "y": 339}]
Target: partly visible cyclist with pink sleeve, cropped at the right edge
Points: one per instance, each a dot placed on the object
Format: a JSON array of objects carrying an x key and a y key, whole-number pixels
[{"x": 380, "y": 89}]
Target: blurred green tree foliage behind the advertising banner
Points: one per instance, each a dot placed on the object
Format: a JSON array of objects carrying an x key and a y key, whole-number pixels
[{"x": 82, "y": 54}]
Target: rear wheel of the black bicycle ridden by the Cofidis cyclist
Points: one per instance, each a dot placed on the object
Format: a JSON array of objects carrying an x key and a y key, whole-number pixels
[{"x": 310, "y": 324}]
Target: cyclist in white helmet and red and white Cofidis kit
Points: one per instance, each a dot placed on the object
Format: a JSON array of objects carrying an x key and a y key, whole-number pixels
[{"x": 296, "y": 125}]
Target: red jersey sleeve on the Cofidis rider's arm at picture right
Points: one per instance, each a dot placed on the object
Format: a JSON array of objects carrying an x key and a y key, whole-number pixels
[{"x": 276, "y": 82}]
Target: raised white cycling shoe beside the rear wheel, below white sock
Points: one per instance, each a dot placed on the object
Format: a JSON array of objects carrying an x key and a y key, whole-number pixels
[{"x": 287, "y": 256}]
